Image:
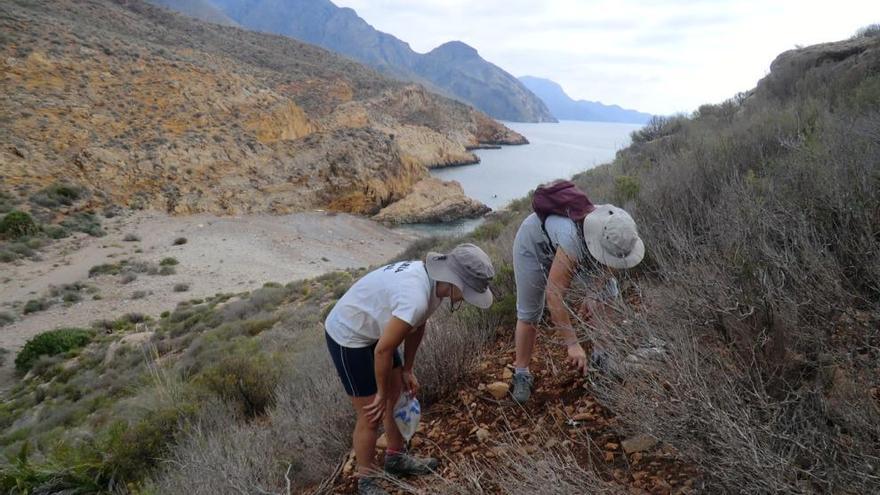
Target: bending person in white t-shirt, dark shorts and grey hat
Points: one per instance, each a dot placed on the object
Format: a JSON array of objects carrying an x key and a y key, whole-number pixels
[{"x": 384, "y": 309}]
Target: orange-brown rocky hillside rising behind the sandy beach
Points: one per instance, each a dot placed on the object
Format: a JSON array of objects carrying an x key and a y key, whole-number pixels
[{"x": 147, "y": 108}]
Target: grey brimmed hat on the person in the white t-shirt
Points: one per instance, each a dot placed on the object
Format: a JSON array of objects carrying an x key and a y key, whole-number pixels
[{"x": 466, "y": 267}]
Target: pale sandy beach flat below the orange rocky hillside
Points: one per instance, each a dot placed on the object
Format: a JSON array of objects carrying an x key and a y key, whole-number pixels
[{"x": 221, "y": 254}]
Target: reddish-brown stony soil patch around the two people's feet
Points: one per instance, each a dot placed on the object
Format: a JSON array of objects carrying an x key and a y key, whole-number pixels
[{"x": 471, "y": 432}]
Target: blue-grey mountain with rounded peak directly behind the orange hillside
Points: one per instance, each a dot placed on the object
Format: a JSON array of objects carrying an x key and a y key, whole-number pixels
[{"x": 453, "y": 69}]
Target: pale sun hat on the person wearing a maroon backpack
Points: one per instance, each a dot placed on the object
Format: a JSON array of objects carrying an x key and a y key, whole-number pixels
[{"x": 612, "y": 237}]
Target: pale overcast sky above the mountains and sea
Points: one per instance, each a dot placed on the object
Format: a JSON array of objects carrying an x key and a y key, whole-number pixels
[{"x": 652, "y": 55}]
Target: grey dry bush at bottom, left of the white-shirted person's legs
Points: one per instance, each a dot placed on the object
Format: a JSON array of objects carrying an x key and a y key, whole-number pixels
[{"x": 301, "y": 440}]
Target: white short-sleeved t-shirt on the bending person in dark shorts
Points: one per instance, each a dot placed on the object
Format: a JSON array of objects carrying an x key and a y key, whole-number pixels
[{"x": 401, "y": 289}]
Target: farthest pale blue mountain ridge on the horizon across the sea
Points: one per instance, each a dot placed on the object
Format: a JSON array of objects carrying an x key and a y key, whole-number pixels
[{"x": 565, "y": 108}]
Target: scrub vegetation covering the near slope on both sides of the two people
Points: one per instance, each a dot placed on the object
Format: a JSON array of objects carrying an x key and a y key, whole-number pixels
[{"x": 747, "y": 340}]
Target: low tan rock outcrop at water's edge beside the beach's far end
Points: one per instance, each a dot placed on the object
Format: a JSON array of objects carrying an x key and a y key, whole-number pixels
[{"x": 432, "y": 200}]
